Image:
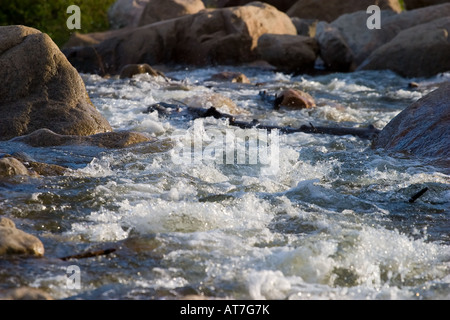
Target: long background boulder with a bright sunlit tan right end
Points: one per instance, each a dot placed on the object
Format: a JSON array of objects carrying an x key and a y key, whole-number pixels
[{"x": 220, "y": 36}]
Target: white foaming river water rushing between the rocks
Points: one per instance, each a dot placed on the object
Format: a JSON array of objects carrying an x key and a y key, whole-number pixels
[{"x": 332, "y": 222}]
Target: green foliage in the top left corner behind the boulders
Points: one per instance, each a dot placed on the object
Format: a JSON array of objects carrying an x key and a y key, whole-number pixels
[{"x": 50, "y": 16}]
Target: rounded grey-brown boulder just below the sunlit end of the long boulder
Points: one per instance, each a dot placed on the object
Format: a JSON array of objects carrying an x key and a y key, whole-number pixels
[{"x": 289, "y": 53}]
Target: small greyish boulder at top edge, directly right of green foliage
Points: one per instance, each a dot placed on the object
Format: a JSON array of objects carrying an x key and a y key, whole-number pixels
[{"x": 126, "y": 13}]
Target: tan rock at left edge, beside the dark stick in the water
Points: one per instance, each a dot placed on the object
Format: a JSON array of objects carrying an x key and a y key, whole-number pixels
[{"x": 15, "y": 241}]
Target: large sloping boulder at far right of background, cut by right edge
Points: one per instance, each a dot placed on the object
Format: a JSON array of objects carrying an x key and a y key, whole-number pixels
[{"x": 420, "y": 51}]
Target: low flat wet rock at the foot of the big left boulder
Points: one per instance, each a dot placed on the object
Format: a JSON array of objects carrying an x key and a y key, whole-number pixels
[{"x": 114, "y": 140}]
